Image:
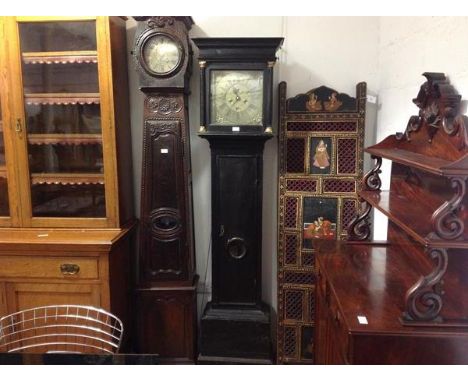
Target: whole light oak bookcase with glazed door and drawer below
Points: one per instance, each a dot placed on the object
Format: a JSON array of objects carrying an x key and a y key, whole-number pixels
[{"x": 65, "y": 168}]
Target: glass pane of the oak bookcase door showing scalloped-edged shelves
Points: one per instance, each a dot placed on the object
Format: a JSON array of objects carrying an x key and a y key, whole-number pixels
[{"x": 59, "y": 64}]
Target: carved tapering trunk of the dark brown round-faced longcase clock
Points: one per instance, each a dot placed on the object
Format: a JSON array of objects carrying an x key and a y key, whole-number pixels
[{"x": 166, "y": 199}]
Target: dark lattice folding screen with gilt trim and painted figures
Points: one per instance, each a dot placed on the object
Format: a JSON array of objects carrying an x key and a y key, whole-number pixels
[{"x": 320, "y": 142}]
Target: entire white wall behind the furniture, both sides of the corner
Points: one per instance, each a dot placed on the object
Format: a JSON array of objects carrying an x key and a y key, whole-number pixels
[{"x": 389, "y": 53}]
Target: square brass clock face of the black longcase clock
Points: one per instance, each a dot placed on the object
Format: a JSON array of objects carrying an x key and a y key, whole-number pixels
[{"x": 236, "y": 97}]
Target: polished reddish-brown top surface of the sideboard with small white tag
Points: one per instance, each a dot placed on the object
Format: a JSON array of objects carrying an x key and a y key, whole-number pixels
[{"x": 371, "y": 281}]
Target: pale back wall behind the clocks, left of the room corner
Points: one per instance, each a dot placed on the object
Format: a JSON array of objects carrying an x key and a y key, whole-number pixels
[{"x": 333, "y": 51}]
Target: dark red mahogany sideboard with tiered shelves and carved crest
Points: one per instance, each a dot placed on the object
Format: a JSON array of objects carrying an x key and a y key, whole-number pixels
[{"x": 411, "y": 292}]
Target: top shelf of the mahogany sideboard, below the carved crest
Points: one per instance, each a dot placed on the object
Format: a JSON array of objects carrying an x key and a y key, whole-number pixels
[{"x": 388, "y": 149}]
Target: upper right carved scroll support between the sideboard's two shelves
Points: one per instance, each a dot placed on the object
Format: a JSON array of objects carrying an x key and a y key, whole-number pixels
[{"x": 446, "y": 221}]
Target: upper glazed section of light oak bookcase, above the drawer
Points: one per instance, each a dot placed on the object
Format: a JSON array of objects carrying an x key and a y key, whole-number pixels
[{"x": 62, "y": 122}]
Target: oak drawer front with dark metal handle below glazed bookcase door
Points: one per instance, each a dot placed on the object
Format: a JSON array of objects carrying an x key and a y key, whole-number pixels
[{"x": 49, "y": 267}]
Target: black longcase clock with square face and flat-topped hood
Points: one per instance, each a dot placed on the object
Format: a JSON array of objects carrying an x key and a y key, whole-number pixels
[{"x": 236, "y": 100}]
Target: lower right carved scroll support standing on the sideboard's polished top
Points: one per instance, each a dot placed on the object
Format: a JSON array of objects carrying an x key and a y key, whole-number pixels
[{"x": 424, "y": 299}]
